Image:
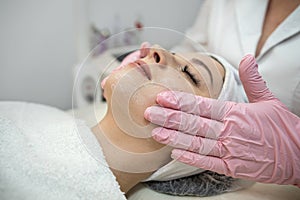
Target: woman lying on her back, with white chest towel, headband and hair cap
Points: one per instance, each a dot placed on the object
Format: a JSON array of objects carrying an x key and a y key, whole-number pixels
[{"x": 46, "y": 154}]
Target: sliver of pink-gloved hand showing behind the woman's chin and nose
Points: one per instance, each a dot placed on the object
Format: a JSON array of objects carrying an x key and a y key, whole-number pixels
[{"x": 142, "y": 52}]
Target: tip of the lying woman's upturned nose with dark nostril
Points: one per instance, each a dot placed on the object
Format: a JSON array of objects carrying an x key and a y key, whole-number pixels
[{"x": 154, "y": 54}]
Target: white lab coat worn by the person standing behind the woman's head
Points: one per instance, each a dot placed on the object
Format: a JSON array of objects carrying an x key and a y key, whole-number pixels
[{"x": 232, "y": 28}]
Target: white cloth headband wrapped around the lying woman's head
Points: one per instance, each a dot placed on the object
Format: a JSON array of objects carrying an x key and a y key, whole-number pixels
[{"x": 232, "y": 90}]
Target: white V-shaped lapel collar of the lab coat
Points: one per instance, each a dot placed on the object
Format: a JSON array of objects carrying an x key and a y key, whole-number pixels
[{"x": 250, "y": 18}]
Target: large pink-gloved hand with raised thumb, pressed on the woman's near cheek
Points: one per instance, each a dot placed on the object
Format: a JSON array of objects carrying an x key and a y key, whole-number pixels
[{"x": 258, "y": 141}]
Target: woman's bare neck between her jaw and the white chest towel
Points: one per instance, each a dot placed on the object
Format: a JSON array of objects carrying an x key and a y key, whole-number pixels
[{"x": 123, "y": 154}]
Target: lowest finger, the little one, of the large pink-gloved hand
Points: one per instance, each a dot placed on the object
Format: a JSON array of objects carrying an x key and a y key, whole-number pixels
[{"x": 205, "y": 162}]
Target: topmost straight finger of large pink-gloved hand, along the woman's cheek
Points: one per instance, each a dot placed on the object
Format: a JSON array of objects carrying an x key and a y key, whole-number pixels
[{"x": 190, "y": 103}]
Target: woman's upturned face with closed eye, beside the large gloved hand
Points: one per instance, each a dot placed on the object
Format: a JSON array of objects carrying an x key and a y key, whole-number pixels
[{"x": 136, "y": 85}]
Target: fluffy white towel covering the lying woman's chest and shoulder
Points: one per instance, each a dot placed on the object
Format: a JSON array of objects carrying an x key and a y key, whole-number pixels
[{"x": 43, "y": 156}]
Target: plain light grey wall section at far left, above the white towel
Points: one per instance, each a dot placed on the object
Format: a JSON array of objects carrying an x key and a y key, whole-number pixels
[{"x": 37, "y": 51}]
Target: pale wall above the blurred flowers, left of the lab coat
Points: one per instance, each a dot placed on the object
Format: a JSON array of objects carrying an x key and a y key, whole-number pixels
[{"x": 173, "y": 14}]
